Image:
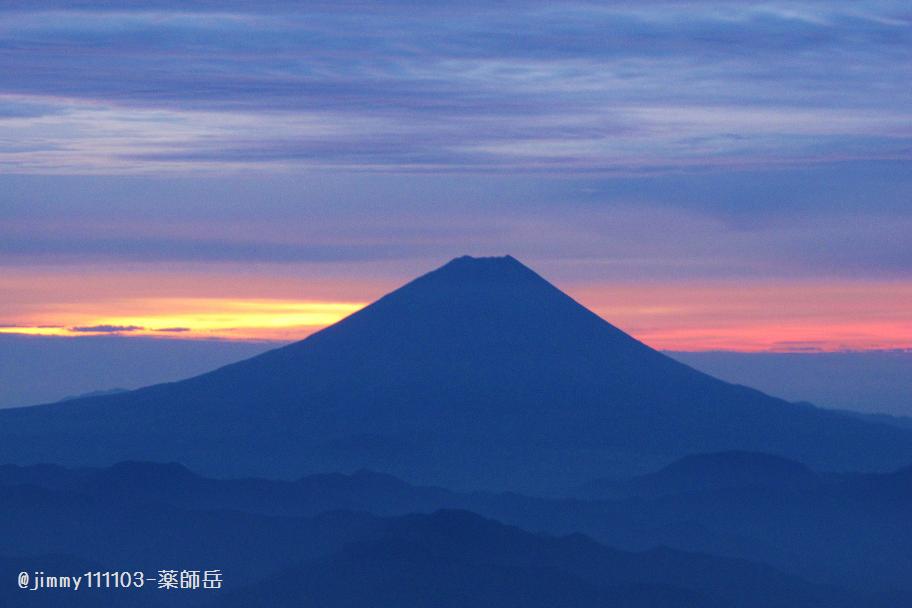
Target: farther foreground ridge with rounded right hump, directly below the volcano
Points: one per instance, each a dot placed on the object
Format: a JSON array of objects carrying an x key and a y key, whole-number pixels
[{"x": 786, "y": 521}]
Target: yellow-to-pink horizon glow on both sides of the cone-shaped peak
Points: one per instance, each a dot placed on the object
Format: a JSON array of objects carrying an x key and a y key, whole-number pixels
[{"x": 718, "y": 315}]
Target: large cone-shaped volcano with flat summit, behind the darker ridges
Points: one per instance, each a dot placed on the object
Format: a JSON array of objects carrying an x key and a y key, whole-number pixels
[{"x": 480, "y": 374}]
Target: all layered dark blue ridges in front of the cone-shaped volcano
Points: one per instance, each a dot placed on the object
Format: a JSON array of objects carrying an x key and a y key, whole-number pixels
[{"x": 369, "y": 539}]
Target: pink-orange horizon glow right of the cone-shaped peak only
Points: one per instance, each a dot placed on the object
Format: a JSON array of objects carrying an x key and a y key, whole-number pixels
[{"x": 761, "y": 317}]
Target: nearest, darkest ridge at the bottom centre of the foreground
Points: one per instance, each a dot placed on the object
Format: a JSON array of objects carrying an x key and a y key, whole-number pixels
[{"x": 458, "y": 559}]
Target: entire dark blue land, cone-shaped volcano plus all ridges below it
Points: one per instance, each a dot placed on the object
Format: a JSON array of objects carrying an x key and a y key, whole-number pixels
[{"x": 477, "y": 378}]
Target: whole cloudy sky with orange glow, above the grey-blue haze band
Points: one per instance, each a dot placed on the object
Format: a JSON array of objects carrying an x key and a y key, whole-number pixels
[{"x": 705, "y": 175}]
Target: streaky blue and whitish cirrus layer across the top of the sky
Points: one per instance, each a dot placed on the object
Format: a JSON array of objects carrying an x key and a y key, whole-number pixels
[{"x": 524, "y": 87}]
